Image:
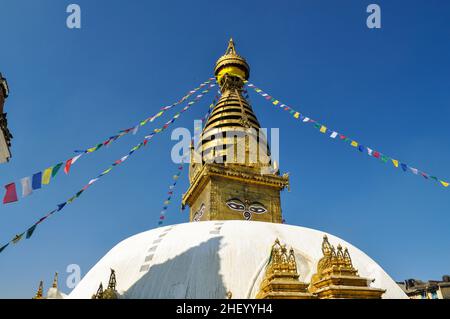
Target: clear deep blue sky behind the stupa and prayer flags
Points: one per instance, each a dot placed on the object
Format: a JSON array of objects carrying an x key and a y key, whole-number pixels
[{"x": 70, "y": 89}]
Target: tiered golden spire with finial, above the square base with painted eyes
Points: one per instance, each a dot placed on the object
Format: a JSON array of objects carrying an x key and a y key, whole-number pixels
[{"x": 232, "y": 116}]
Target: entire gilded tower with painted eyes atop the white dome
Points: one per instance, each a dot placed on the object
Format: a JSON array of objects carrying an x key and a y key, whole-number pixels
[{"x": 231, "y": 173}]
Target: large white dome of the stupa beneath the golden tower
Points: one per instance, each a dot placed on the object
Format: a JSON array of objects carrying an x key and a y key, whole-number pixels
[{"x": 212, "y": 258}]
